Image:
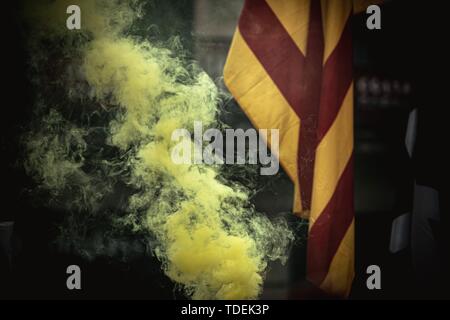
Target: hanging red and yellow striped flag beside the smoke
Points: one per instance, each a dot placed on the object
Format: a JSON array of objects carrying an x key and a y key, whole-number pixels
[{"x": 290, "y": 67}]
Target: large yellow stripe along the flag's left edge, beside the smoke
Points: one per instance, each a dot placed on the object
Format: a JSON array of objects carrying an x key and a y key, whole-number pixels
[{"x": 262, "y": 102}]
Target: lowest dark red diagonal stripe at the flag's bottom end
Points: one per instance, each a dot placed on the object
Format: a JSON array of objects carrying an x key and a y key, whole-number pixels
[{"x": 329, "y": 229}]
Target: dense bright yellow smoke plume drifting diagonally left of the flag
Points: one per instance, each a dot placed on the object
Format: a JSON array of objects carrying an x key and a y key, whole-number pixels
[{"x": 207, "y": 237}]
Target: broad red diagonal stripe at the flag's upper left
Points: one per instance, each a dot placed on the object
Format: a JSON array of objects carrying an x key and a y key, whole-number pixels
[{"x": 274, "y": 48}]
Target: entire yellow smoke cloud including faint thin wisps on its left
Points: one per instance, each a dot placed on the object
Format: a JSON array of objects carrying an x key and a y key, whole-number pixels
[{"x": 99, "y": 150}]
